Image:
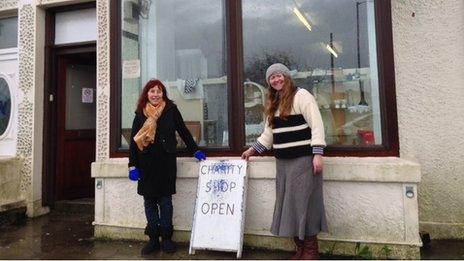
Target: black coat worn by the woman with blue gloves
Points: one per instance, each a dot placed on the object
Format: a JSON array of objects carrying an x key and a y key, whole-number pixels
[{"x": 157, "y": 162}]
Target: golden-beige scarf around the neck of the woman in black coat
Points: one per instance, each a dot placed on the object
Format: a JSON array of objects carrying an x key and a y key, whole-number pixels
[{"x": 146, "y": 134}]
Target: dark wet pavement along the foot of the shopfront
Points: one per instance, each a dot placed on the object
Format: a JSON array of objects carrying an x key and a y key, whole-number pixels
[{"x": 70, "y": 236}]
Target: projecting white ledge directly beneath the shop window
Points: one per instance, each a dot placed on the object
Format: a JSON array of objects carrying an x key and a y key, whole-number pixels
[{"x": 345, "y": 169}]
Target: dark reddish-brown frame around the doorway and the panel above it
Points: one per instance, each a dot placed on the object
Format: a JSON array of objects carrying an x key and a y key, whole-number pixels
[{"x": 52, "y": 52}]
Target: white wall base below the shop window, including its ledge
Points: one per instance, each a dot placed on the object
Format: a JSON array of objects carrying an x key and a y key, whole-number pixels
[{"x": 372, "y": 201}]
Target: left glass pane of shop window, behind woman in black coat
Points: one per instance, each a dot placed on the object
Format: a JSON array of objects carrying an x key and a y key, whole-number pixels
[{"x": 182, "y": 43}]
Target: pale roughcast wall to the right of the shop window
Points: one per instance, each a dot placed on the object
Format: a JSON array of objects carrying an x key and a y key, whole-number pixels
[{"x": 429, "y": 68}]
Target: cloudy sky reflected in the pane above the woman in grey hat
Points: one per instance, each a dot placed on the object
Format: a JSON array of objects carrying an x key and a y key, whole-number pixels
[{"x": 280, "y": 31}]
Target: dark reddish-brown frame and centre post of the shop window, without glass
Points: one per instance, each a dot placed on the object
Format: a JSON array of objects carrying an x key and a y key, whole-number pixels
[{"x": 235, "y": 63}]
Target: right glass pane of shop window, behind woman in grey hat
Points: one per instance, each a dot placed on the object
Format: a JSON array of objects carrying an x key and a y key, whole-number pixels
[{"x": 330, "y": 46}]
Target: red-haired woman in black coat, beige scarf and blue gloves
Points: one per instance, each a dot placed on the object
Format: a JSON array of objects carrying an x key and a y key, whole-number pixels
[{"x": 152, "y": 161}]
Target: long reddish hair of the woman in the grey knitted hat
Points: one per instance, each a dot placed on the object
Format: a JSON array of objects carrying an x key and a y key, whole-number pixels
[{"x": 282, "y": 100}]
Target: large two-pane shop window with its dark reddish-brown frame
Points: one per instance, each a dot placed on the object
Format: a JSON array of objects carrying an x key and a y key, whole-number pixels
[{"x": 212, "y": 55}]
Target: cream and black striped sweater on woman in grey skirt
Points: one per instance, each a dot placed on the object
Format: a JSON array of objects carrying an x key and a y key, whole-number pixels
[{"x": 301, "y": 134}]
